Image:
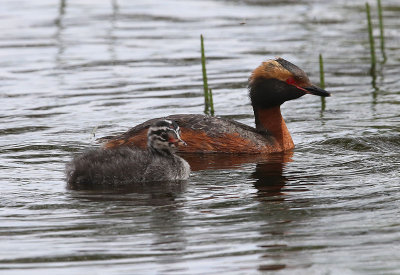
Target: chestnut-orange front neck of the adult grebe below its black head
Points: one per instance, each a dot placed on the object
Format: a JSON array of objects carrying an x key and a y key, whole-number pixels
[{"x": 271, "y": 120}]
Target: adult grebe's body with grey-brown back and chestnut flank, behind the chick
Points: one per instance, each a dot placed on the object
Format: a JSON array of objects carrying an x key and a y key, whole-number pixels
[{"x": 203, "y": 134}]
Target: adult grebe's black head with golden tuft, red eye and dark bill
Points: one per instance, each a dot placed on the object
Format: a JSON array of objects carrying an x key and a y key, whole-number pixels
[{"x": 276, "y": 81}]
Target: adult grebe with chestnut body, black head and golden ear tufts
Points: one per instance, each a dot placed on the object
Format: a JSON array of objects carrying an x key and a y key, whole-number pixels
[{"x": 271, "y": 84}]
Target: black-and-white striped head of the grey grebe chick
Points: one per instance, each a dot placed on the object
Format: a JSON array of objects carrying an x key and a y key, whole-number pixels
[{"x": 164, "y": 136}]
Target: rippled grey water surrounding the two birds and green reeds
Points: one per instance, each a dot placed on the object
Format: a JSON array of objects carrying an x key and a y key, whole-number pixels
[{"x": 74, "y": 69}]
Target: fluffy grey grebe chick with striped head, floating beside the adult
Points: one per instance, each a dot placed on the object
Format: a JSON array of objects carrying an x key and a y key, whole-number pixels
[{"x": 125, "y": 165}]
